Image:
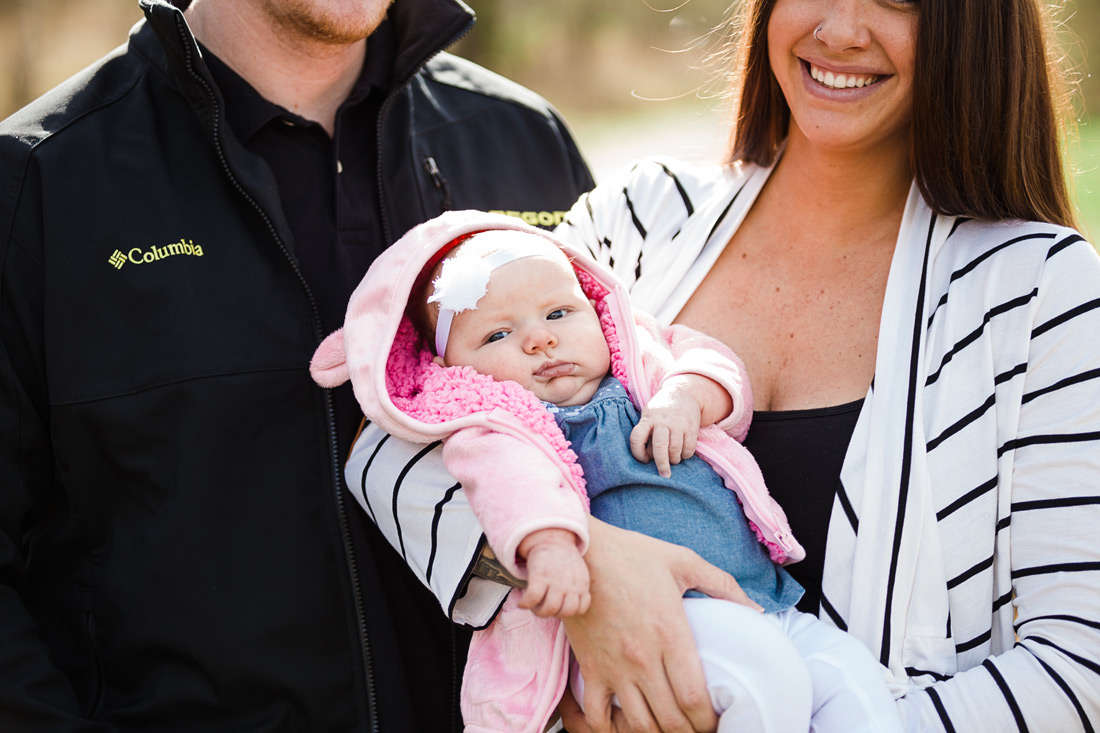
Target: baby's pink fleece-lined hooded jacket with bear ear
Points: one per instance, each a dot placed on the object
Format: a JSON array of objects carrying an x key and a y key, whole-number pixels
[{"x": 510, "y": 455}]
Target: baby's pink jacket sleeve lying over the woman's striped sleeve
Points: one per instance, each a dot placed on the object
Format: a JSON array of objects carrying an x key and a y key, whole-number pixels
[{"x": 514, "y": 489}]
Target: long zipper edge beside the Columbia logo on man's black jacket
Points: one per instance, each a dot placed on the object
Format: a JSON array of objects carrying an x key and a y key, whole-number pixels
[{"x": 329, "y": 409}]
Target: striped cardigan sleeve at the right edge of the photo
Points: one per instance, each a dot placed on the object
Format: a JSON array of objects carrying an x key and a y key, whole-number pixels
[{"x": 1050, "y": 681}]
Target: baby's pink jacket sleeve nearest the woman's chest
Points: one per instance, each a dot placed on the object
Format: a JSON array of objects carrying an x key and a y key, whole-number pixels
[{"x": 694, "y": 353}]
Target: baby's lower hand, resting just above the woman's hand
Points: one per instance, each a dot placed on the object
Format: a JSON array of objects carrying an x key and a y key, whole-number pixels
[{"x": 557, "y": 575}]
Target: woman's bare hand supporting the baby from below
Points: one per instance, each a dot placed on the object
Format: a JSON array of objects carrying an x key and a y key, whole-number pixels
[{"x": 635, "y": 643}]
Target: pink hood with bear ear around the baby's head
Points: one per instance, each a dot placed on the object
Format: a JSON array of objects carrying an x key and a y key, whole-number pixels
[{"x": 379, "y": 351}]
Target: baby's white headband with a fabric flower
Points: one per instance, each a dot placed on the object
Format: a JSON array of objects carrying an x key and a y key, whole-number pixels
[{"x": 464, "y": 282}]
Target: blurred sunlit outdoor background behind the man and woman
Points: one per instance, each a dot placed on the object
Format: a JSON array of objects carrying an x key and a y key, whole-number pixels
[{"x": 629, "y": 75}]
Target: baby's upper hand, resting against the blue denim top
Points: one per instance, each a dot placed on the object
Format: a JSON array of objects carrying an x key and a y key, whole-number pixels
[{"x": 669, "y": 426}]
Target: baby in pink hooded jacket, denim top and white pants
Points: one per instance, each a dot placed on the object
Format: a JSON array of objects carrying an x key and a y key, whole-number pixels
[{"x": 527, "y": 362}]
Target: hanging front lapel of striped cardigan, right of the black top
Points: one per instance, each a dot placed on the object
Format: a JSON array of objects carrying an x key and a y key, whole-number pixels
[{"x": 884, "y": 531}]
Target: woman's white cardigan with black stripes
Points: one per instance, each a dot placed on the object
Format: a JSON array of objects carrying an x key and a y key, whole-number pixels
[{"x": 963, "y": 546}]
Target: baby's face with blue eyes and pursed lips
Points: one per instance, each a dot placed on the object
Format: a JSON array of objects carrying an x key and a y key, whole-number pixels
[{"x": 535, "y": 326}]
